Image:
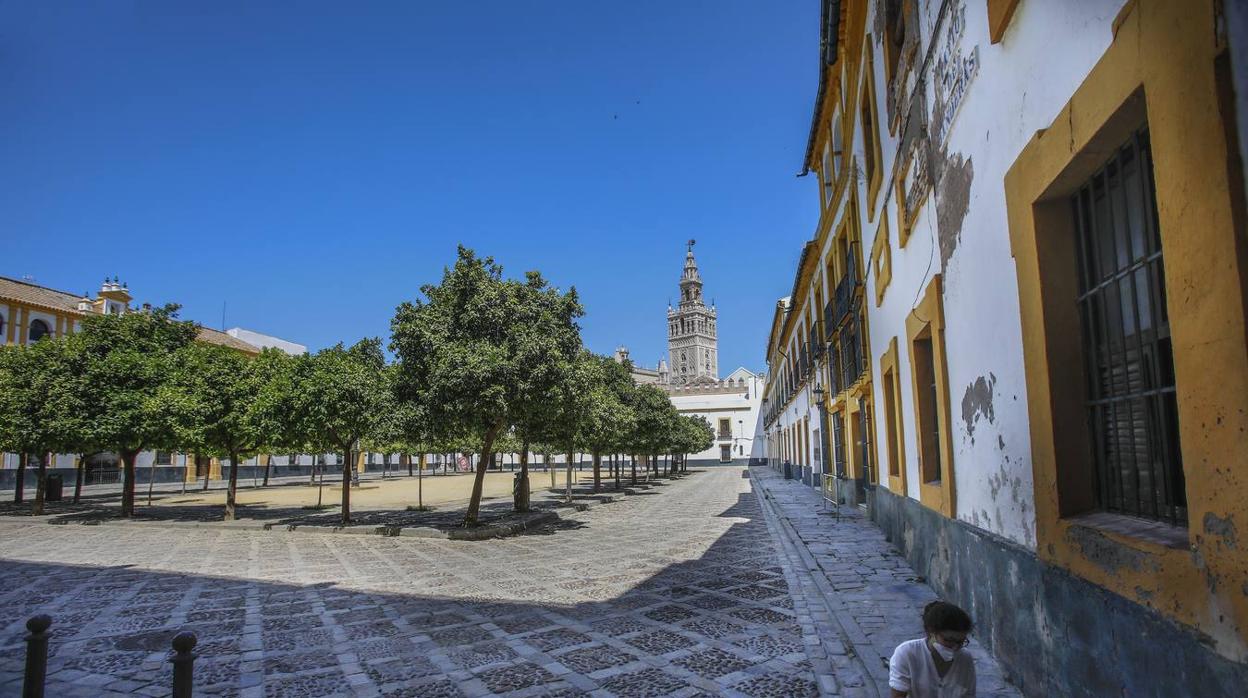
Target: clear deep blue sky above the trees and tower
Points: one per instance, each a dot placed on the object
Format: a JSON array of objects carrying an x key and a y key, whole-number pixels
[{"x": 311, "y": 169}]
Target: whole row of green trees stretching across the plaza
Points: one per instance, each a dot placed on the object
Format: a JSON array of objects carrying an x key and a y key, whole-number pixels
[{"x": 480, "y": 360}]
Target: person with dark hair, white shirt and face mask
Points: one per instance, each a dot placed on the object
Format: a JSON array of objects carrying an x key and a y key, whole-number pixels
[{"x": 935, "y": 665}]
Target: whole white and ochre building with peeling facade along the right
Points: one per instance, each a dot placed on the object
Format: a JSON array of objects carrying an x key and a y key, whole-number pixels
[{"x": 1018, "y": 335}]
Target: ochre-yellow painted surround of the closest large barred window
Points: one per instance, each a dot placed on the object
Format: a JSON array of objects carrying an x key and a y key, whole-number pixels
[{"x": 1161, "y": 64}]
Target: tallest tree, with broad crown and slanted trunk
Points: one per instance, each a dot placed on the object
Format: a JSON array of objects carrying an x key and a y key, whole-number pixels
[{"x": 480, "y": 351}]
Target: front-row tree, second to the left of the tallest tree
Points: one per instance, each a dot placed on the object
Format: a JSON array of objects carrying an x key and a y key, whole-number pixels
[{"x": 227, "y": 404}]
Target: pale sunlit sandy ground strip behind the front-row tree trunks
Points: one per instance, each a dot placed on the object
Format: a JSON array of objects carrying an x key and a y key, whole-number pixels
[{"x": 374, "y": 494}]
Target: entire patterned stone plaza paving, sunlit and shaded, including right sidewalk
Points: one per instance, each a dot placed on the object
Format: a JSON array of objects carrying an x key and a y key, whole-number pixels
[{"x": 726, "y": 582}]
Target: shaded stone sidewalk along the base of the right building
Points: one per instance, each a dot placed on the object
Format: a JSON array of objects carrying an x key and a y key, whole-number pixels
[{"x": 864, "y": 594}]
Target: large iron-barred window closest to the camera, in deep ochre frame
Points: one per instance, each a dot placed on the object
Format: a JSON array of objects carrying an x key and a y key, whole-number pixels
[{"x": 1129, "y": 359}]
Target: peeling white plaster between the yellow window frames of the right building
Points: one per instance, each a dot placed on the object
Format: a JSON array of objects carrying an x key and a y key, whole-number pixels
[{"x": 962, "y": 233}]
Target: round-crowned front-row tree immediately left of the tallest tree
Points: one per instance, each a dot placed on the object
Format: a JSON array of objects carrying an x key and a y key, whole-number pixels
[{"x": 341, "y": 396}]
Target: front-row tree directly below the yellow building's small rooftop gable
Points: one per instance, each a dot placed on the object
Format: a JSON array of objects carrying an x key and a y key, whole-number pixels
[{"x": 125, "y": 361}]
